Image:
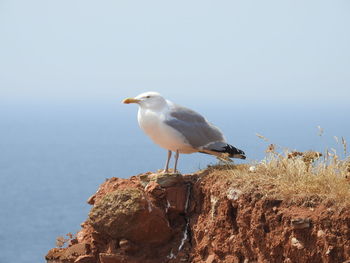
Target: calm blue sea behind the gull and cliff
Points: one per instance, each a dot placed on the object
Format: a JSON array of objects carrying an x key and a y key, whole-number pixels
[{"x": 53, "y": 157}]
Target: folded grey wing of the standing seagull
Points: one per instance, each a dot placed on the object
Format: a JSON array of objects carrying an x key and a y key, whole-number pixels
[{"x": 194, "y": 127}]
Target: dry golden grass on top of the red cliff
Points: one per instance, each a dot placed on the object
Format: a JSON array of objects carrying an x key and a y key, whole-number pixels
[{"x": 307, "y": 178}]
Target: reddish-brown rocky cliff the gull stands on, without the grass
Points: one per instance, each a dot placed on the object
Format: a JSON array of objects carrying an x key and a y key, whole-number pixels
[{"x": 203, "y": 217}]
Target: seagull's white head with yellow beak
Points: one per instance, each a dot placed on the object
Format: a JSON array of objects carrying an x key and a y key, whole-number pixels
[{"x": 150, "y": 100}]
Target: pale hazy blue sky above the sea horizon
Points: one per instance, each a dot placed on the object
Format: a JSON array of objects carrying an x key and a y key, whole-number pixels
[{"x": 242, "y": 51}]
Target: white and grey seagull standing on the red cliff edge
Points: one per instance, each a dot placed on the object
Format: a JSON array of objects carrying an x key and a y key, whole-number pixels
[{"x": 179, "y": 129}]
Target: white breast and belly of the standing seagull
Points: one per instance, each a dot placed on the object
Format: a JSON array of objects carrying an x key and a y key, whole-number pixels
[{"x": 152, "y": 123}]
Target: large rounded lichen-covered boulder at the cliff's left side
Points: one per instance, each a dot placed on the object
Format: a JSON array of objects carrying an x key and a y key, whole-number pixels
[{"x": 125, "y": 213}]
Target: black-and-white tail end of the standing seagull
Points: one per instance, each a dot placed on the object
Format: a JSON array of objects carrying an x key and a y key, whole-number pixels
[{"x": 223, "y": 150}]
